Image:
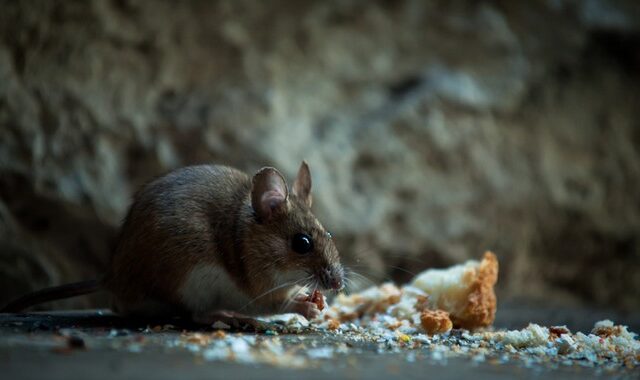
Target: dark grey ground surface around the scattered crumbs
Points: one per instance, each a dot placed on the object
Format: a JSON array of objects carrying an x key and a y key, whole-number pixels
[{"x": 33, "y": 346}]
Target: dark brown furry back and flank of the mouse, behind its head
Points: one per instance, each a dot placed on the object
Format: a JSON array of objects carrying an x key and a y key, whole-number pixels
[{"x": 171, "y": 226}]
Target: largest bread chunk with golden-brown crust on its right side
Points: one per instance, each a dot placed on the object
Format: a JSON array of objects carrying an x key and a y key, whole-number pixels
[{"x": 465, "y": 291}]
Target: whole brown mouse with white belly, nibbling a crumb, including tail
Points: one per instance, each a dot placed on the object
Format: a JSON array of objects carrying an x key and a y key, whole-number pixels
[{"x": 213, "y": 243}]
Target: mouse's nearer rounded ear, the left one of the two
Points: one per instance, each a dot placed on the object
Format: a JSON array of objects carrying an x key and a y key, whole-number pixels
[{"x": 269, "y": 193}]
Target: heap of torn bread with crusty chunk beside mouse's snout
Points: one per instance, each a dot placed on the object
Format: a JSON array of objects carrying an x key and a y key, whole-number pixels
[{"x": 436, "y": 301}]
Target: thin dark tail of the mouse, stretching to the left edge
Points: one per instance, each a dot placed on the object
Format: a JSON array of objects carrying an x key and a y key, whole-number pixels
[{"x": 52, "y": 294}]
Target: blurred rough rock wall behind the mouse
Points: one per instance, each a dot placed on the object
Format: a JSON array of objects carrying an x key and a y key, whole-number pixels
[{"x": 434, "y": 130}]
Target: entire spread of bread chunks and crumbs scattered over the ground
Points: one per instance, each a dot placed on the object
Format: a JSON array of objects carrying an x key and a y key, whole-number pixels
[{"x": 440, "y": 315}]
